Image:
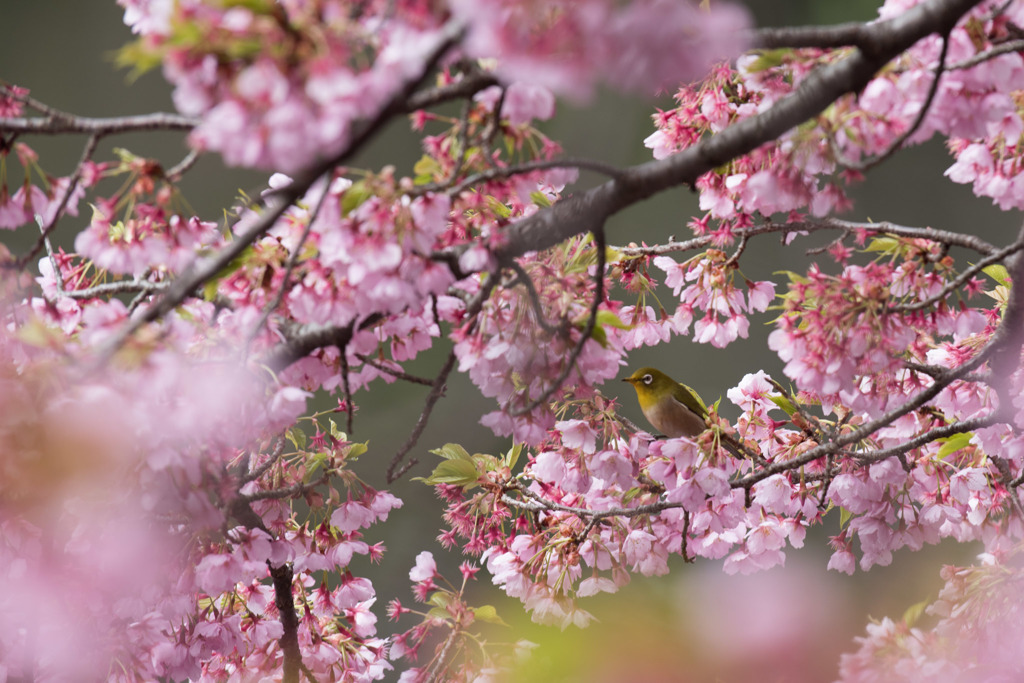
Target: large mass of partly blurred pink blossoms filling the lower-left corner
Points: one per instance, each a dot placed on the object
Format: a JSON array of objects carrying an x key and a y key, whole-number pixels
[{"x": 132, "y": 556}]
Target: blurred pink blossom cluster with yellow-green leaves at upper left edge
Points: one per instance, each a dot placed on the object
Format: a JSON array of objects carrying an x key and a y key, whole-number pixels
[{"x": 236, "y": 67}]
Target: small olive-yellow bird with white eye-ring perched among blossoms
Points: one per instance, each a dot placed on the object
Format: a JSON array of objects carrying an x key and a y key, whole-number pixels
[{"x": 672, "y": 408}]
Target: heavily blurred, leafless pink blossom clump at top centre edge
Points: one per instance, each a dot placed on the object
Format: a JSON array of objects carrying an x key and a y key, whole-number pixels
[{"x": 570, "y": 47}]
